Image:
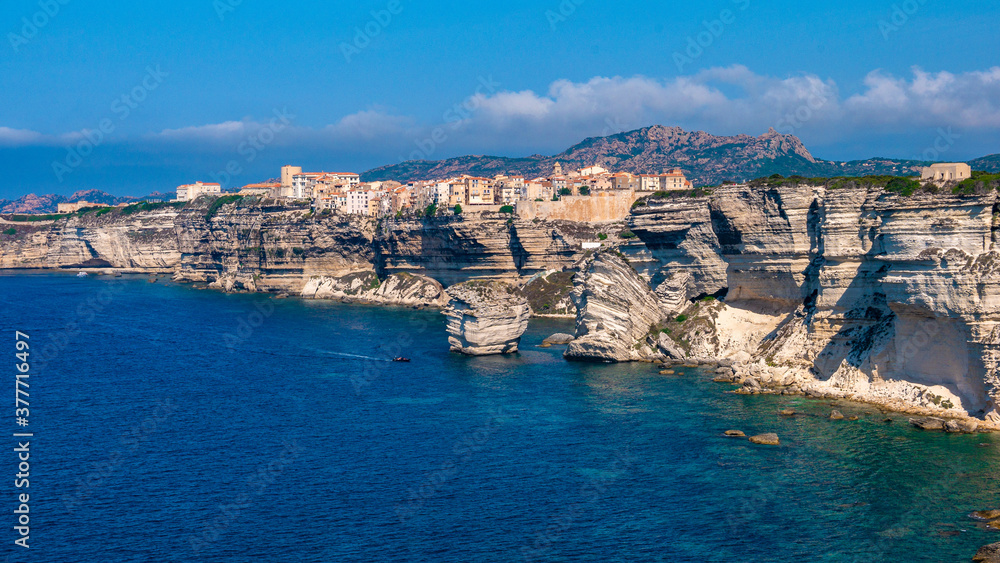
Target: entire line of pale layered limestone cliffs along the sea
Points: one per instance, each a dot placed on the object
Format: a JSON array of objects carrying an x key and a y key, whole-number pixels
[{"x": 850, "y": 293}]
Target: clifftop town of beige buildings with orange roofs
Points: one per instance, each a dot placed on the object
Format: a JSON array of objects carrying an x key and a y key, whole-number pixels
[{"x": 343, "y": 192}]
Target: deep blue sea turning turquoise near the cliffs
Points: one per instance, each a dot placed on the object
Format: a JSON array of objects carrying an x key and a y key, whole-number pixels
[{"x": 176, "y": 424}]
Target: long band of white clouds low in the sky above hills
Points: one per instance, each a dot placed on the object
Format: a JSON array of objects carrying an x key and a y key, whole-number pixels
[{"x": 724, "y": 100}]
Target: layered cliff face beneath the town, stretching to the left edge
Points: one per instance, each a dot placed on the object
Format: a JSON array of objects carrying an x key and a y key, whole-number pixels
[{"x": 255, "y": 247}]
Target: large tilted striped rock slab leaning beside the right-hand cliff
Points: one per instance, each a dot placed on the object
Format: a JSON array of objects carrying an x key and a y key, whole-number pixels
[{"x": 615, "y": 311}]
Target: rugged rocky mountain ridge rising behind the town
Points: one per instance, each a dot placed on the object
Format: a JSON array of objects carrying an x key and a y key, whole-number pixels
[{"x": 706, "y": 158}]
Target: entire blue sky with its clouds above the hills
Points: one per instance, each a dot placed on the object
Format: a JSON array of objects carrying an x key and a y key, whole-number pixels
[{"x": 249, "y": 86}]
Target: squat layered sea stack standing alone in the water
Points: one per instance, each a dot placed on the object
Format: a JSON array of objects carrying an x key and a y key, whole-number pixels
[{"x": 485, "y": 317}]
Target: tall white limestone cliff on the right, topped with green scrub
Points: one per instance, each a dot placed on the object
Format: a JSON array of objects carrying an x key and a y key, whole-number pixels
[{"x": 848, "y": 293}]
